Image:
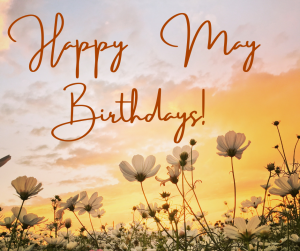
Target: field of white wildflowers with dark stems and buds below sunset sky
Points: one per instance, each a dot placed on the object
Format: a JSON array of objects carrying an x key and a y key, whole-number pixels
[{"x": 268, "y": 223}]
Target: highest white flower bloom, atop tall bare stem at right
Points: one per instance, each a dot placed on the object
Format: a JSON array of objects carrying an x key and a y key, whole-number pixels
[{"x": 231, "y": 143}]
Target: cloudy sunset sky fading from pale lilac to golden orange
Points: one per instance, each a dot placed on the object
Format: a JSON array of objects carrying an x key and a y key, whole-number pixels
[{"x": 33, "y": 103}]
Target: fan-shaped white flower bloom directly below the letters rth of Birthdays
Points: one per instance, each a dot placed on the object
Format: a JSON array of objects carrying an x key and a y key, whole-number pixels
[{"x": 141, "y": 169}]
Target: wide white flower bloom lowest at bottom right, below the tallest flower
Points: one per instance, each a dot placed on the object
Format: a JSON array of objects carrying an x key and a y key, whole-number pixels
[{"x": 245, "y": 231}]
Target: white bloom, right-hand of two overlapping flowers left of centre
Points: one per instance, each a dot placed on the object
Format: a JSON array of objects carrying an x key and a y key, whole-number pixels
[{"x": 89, "y": 205}]
